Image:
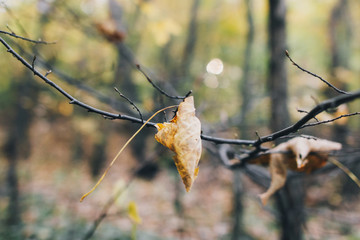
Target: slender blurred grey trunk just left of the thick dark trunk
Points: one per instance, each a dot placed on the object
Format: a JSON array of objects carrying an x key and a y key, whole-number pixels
[{"x": 238, "y": 231}]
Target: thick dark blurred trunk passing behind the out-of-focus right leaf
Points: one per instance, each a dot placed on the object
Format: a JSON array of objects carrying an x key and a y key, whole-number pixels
[{"x": 290, "y": 199}]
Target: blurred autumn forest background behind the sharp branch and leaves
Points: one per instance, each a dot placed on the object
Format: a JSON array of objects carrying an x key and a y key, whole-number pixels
[{"x": 53, "y": 152}]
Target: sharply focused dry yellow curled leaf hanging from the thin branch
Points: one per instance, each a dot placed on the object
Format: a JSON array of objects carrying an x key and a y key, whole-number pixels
[{"x": 182, "y": 136}]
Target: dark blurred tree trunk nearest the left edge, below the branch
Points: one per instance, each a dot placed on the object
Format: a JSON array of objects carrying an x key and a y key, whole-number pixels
[{"x": 17, "y": 144}]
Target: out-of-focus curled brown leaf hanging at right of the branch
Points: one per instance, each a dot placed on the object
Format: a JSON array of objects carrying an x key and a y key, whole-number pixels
[{"x": 299, "y": 154}]
